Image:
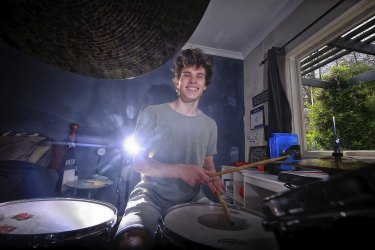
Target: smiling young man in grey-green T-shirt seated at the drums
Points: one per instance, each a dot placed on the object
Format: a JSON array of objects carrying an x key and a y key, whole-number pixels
[{"x": 179, "y": 142}]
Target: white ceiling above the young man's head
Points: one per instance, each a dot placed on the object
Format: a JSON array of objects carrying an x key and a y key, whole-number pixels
[{"x": 233, "y": 28}]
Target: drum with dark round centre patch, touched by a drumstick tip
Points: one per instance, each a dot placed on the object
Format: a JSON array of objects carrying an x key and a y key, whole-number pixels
[{"x": 205, "y": 226}]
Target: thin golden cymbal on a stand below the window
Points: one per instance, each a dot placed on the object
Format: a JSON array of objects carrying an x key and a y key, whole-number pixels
[{"x": 330, "y": 162}]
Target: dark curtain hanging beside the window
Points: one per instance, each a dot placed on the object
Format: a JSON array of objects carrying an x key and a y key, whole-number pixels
[{"x": 279, "y": 112}]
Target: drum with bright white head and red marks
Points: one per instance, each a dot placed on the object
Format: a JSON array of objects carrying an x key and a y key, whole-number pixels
[{"x": 56, "y": 222}]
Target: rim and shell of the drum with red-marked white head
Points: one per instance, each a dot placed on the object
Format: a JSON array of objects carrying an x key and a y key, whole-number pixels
[{"x": 50, "y": 239}]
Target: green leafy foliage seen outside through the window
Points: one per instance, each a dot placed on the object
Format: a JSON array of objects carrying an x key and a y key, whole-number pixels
[{"x": 353, "y": 107}]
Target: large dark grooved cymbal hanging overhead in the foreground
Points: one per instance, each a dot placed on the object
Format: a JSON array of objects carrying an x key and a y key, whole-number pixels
[{"x": 108, "y": 39}]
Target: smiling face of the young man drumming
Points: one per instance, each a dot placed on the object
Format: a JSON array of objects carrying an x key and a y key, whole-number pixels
[{"x": 192, "y": 84}]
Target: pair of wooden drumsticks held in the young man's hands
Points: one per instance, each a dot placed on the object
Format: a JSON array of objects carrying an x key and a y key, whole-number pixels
[{"x": 231, "y": 170}]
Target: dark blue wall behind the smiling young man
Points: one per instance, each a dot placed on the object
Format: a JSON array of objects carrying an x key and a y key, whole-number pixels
[{"x": 36, "y": 97}]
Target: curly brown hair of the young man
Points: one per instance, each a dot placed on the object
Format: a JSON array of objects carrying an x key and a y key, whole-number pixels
[{"x": 193, "y": 57}]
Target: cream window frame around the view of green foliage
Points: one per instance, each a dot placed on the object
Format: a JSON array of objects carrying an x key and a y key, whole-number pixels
[{"x": 347, "y": 20}]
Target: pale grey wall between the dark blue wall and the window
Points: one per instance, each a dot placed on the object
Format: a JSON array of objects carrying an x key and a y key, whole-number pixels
[{"x": 306, "y": 13}]
